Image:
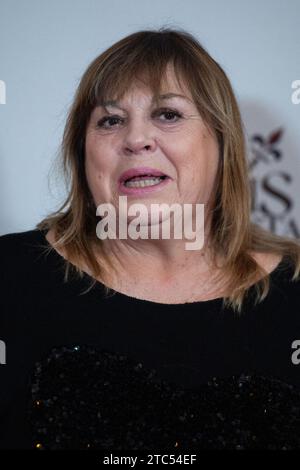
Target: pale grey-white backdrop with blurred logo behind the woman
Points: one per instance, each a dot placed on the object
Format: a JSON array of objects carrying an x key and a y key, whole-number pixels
[{"x": 46, "y": 46}]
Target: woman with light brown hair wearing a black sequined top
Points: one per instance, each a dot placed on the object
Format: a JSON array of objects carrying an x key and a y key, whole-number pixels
[{"x": 154, "y": 118}]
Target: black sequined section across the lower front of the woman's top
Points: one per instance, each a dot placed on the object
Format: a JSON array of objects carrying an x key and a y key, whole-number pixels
[{"x": 83, "y": 398}]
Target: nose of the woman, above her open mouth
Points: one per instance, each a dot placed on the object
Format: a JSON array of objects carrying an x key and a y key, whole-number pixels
[{"x": 138, "y": 140}]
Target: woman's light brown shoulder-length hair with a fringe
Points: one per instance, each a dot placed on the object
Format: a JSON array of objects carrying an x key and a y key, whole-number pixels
[{"x": 233, "y": 236}]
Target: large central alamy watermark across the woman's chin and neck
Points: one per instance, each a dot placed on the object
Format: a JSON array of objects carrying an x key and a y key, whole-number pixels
[{"x": 158, "y": 221}]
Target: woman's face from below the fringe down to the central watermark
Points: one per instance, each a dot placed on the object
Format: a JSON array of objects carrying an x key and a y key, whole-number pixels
[{"x": 169, "y": 136}]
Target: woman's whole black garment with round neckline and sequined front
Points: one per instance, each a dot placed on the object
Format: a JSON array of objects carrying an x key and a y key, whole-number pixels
[{"x": 119, "y": 373}]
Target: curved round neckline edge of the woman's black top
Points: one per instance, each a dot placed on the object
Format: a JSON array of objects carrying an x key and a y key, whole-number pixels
[{"x": 99, "y": 285}]
